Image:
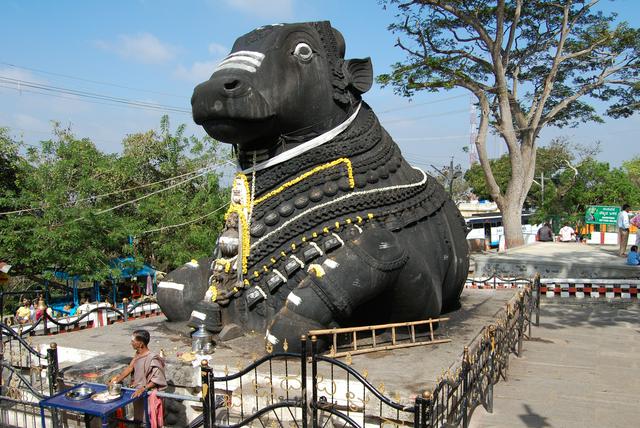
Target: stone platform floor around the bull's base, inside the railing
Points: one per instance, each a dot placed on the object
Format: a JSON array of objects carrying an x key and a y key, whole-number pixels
[{"x": 405, "y": 371}]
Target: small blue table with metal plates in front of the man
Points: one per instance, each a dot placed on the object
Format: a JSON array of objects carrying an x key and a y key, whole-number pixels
[{"x": 88, "y": 406}]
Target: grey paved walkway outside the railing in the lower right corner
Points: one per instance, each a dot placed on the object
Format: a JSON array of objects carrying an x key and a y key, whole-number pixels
[{"x": 582, "y": 369}]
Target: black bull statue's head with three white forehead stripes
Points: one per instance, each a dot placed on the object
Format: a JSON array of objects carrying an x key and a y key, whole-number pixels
[{"x": 281, "y": 84}]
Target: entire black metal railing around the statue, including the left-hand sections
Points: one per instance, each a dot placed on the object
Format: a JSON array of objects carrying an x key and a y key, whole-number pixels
[{"x": 275, "y": 390}]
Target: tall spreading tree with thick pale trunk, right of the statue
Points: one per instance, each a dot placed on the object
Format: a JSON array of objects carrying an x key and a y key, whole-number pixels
[{"x": 530, "y": 64}]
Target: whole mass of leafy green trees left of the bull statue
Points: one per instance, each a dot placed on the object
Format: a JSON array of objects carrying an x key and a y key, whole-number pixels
[{"x": 80, "y": 207}]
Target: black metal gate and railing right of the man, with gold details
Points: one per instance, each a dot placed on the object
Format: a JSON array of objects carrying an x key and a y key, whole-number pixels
[{"x": 338, "y": 395}]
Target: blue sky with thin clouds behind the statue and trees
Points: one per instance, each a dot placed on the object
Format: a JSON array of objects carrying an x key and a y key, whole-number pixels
[{"x": 157, "y": 51}]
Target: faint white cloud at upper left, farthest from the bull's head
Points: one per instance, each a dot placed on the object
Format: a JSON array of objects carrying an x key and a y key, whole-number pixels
[{"x": 142, "y": 47}]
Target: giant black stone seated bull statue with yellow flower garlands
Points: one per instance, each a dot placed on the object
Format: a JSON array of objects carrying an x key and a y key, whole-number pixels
[{"x": 328, "y": 224}]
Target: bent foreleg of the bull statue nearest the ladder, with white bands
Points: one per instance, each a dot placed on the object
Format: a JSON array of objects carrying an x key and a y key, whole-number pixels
[{"x": 368, "y": 265}]
